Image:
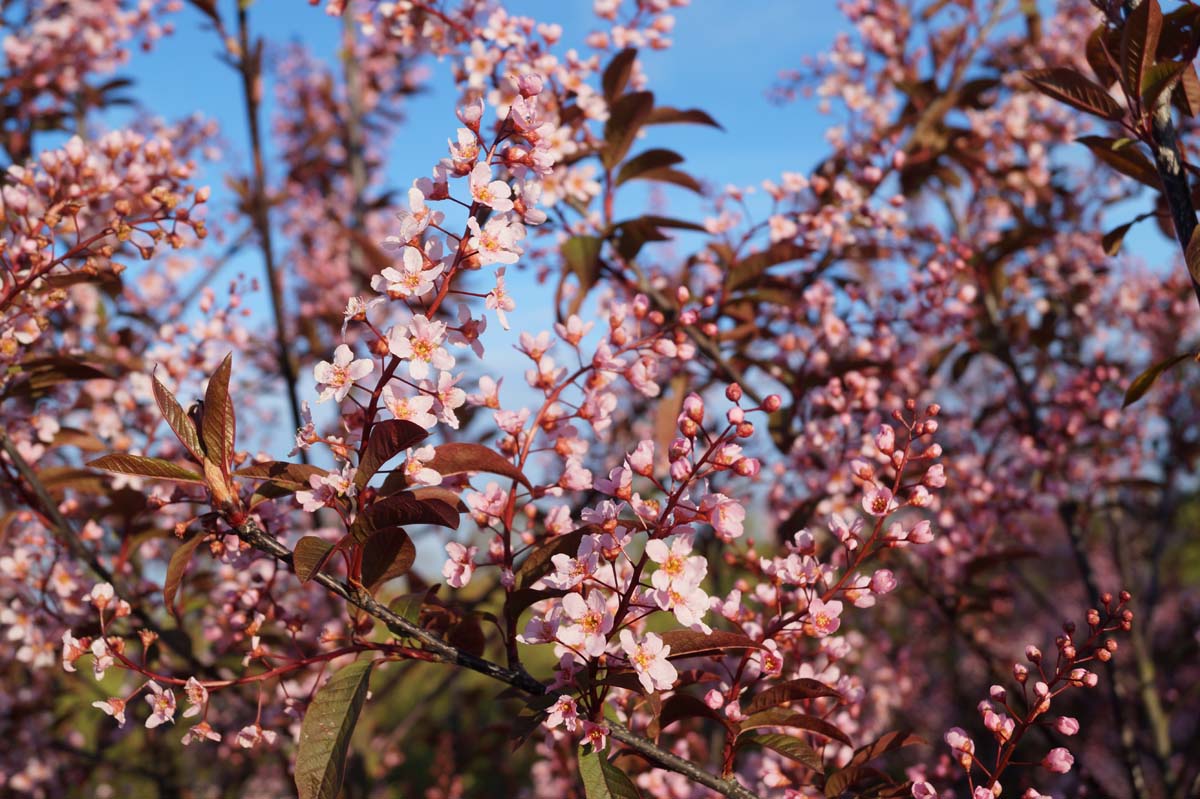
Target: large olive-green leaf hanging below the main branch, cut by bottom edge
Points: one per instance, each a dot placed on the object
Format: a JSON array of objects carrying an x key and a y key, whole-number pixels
[{"x": 327, "y": 729}]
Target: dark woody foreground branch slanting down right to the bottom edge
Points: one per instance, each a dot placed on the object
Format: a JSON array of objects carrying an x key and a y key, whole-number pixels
[{"x": 253, "y": 534}]
